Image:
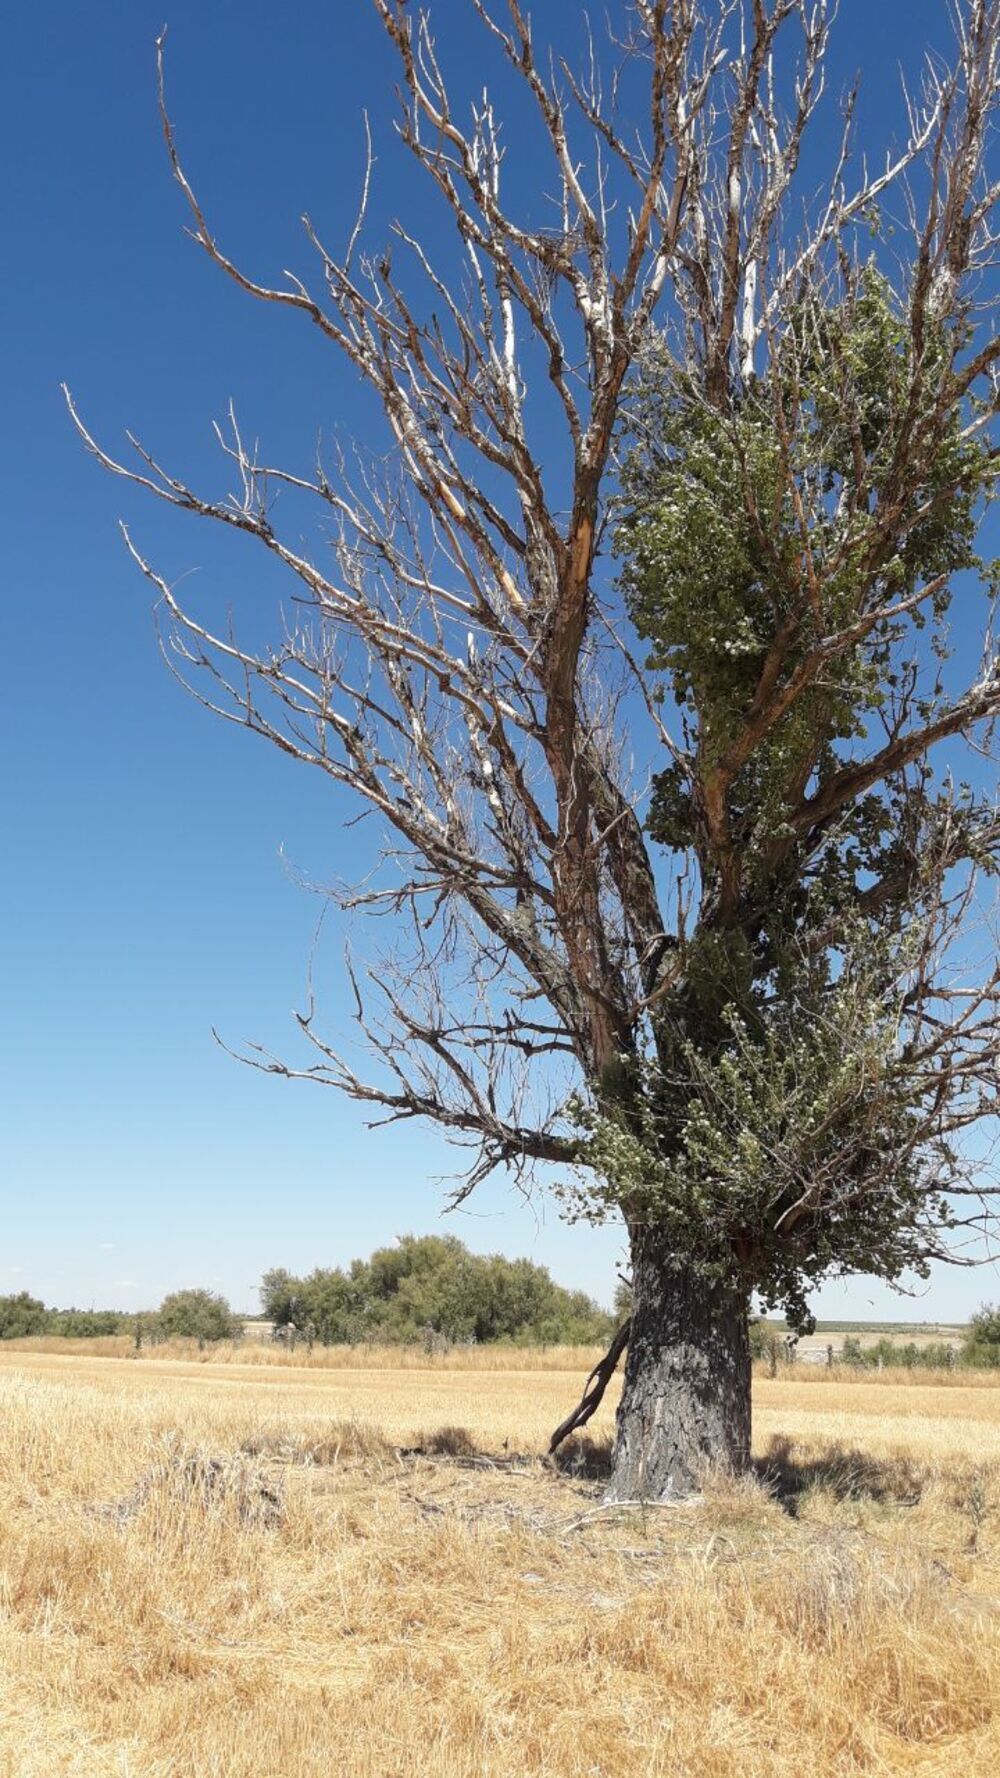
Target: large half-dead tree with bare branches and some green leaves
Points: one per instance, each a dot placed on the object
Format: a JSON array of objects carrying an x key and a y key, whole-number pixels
[{"x": 739, "y": 1014}]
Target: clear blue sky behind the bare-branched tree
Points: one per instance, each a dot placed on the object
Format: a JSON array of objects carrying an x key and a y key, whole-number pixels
[{"x": 150, "y": 851}]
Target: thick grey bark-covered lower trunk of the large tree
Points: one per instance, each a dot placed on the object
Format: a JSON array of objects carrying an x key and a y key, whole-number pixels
[{"x": 686, "y": 1404}]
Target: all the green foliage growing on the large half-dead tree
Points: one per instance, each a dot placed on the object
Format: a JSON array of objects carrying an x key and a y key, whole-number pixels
[{"x": 775, "y": 1128}]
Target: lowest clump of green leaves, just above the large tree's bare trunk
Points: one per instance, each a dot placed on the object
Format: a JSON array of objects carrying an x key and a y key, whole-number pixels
[{"x": 809, "y": 1089}]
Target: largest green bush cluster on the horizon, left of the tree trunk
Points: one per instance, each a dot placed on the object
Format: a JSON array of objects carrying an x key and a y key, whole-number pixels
[{"x": 433, "y": 1286}]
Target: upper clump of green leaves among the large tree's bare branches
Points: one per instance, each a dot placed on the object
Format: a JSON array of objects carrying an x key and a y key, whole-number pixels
[{"x": 713, "y": 545}]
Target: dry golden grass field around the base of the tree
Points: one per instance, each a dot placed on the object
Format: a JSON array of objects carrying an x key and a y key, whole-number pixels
[{"x": 287, "y": 1571}]
